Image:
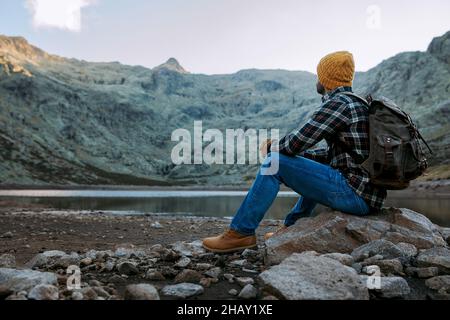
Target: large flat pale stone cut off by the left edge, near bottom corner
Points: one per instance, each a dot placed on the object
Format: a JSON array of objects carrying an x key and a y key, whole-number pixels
[{"x": 18, "y": 280}]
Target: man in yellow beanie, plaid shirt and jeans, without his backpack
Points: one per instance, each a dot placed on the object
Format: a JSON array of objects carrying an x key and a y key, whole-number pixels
[{"x": 331, "y": 177}]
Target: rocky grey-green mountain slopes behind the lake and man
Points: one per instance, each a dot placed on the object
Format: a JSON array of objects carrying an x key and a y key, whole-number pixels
[{"x": 65, "y": 121}]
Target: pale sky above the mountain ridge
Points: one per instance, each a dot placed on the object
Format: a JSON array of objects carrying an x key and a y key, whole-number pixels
[{"x": 225, "y": 36}]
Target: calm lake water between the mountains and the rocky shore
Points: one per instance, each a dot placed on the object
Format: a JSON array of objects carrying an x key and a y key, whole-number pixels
[{"x": 198, "y": 203}]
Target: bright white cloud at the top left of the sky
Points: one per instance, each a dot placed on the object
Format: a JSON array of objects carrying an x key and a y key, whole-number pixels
[{"x": 61, "y": 14}]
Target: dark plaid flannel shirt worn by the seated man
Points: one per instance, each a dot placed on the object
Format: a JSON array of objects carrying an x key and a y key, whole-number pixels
[{"x": 345, "y": 118}]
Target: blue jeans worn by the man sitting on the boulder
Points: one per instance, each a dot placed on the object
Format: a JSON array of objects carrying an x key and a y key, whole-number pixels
[{"x": 317, "y": 183}]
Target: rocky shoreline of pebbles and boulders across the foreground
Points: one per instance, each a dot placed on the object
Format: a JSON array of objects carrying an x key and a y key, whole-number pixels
[{"x": 331, "y": 256}]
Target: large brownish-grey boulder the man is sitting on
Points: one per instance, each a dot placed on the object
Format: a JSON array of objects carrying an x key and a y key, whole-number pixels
[{"x": 334, "y": 231}]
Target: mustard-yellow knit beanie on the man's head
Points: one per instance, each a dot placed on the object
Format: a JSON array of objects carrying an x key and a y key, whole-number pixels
[{"x": 336, "y": 70}]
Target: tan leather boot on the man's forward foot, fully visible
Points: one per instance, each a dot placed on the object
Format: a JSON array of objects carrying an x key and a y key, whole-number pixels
[{"x": 229, "y": 241}]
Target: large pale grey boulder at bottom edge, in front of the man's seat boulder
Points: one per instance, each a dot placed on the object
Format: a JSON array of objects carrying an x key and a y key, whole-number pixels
[{"x": 307, "y": 276}]
